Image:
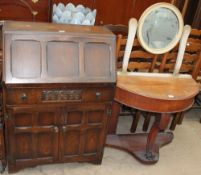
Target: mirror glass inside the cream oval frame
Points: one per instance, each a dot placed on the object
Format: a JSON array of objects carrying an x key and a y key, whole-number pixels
[{"x": 160, "y": 28}]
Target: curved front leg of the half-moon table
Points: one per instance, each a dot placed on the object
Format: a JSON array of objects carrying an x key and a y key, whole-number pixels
[{"x": 160, "y": 123}]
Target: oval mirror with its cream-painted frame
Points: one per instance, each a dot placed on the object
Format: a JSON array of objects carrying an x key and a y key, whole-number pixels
[{"x": 160, "y": 28}]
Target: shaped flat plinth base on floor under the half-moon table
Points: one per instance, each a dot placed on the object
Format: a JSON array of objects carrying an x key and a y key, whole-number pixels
[{"x": 136, "y": 145}]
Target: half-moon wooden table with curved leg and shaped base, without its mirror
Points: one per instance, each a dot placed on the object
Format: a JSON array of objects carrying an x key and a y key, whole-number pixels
[{"x": 162, "y": 95}]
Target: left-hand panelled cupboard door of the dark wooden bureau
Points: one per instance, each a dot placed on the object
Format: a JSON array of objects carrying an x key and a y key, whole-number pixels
[{"x": 32, "y": 136}]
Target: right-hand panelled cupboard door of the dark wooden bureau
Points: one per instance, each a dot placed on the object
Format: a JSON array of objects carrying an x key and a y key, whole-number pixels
[{"x": 83, "y": 134}]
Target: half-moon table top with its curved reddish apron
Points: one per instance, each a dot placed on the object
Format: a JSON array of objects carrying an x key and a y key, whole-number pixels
[{"x": 156, "y": 93}]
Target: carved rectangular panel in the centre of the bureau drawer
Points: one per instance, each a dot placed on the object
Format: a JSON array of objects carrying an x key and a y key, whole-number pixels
[{"x": 61, "y": 95}]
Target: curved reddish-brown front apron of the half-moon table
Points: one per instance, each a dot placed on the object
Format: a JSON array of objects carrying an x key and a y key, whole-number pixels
[{"x": 150, "y": 104}]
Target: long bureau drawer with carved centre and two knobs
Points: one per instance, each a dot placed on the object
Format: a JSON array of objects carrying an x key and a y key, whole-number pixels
[{"x": 37, "y": 96}]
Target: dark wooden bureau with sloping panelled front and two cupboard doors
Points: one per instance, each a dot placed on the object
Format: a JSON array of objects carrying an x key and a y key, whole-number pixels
[{"x": 58, "y": 85}]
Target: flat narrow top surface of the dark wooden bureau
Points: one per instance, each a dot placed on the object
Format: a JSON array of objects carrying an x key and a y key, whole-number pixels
[{"x": 39, "y": 27}]
